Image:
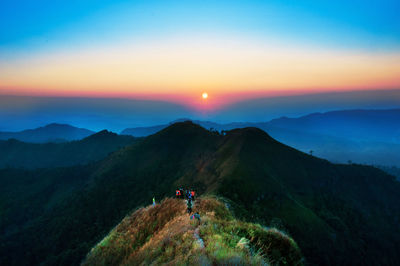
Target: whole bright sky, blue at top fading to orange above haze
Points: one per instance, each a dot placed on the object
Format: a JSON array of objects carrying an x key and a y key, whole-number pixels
[{"x": 173, "y": 51}]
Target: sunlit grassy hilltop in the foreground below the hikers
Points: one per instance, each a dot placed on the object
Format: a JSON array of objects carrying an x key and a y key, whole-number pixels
[{"x": 216, "y": 239}]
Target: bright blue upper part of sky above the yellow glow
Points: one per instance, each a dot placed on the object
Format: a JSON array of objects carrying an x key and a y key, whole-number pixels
[{"x": 358, "y": 24}]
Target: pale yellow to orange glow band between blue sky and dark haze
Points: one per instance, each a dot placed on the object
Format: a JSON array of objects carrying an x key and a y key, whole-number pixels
[{"x": 180, "y": 70}]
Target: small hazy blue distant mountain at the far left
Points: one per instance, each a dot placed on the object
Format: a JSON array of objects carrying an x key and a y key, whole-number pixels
[{"x": 50, "y": 133}]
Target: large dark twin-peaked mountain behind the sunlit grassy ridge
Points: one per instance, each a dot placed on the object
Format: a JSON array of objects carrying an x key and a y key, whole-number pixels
[{"x": 337, "y": 214}]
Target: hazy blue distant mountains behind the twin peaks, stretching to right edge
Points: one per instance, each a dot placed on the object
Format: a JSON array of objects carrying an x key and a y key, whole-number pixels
[{"x": 361, "y": 136}]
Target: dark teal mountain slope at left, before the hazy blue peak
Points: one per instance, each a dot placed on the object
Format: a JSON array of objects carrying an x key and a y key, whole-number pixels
[{"x": 14, "y": 153}]
